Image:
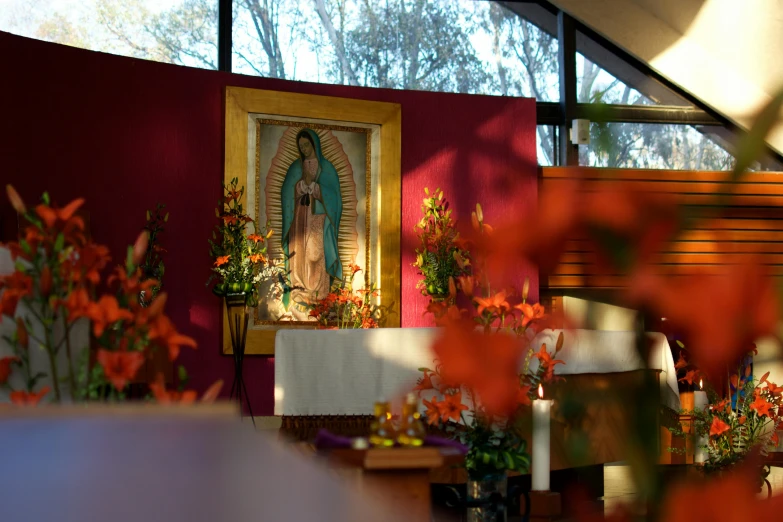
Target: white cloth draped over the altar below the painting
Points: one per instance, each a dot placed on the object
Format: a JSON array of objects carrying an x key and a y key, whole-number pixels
[{"x": 343, "y": 372}]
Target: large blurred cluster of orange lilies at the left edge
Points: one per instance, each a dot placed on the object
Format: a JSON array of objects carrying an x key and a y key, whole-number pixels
[{"x": 56, "y": 279}]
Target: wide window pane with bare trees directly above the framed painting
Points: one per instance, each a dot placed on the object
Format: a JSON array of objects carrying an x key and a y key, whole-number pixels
[{"x": 434, "y": 45}]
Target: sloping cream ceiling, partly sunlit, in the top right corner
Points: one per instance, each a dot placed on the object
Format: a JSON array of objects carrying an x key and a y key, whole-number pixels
[{"x": 726, "y": 53}]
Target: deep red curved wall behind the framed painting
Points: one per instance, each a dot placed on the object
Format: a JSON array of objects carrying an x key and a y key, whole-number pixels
[{"x": 126, "y": 133}]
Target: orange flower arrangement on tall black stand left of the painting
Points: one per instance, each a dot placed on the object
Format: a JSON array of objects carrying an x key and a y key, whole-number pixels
[{"x": 240, "y": 259}]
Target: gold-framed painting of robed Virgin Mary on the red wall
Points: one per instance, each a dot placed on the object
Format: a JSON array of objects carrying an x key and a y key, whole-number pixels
[{"x": 314, "y": 170}]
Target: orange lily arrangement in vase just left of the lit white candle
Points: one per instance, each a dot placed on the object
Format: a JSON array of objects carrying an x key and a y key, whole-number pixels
[{"x": 478, "y": 359}]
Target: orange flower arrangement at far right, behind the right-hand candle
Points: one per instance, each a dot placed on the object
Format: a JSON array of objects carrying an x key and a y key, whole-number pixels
[{"x": 744, "y": 417}]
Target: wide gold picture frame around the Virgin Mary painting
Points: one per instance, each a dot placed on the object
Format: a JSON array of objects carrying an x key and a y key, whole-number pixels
[{"x": 244, "y": 106}]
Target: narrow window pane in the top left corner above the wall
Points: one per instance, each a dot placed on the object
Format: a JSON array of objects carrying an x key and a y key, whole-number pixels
[{"x": 175, "y": 31}]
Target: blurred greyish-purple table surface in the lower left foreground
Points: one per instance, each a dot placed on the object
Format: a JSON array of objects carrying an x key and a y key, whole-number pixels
[{"x": 137, "y": 464}]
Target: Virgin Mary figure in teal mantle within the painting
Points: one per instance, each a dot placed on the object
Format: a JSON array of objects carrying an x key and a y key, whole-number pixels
[{"x": 312, "y": 207}]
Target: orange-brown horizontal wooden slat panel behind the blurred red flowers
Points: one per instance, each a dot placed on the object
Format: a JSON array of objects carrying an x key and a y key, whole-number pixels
[{"x": 751, "y": 223}]
